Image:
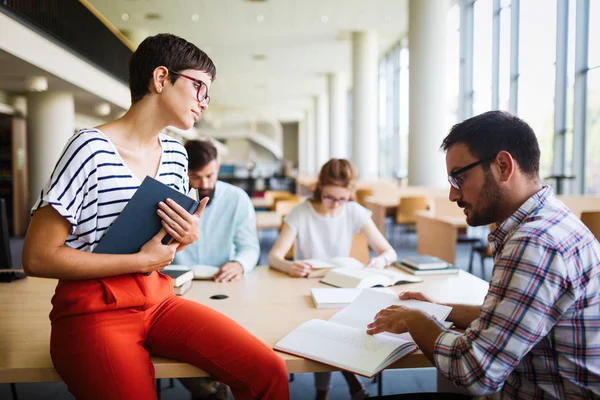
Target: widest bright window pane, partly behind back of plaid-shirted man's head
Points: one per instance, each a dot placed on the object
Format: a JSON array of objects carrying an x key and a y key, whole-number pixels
[{"x": 537, "y": 52}]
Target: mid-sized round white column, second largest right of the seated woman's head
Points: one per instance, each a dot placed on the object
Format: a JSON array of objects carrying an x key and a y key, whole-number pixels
[{"x": 364, "y": 132}]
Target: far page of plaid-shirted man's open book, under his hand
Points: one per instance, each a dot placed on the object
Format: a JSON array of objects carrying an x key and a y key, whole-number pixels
[{"x": 363, "y": 309}]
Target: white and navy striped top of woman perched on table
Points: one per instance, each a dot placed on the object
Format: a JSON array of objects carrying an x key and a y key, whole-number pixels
[{"x": 91, "y": 184}]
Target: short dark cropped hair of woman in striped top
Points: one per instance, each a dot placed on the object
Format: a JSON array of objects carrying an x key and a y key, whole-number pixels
[{"x": 169, "y": 51}]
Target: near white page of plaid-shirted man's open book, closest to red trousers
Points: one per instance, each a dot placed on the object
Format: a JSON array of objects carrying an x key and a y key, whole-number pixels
[{"x": 343, "y": 347}]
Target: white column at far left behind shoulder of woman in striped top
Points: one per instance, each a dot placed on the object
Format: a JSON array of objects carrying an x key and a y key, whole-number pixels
[{"x": 50, "y": 123}]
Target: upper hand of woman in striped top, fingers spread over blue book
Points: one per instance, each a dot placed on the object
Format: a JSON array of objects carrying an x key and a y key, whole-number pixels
[{"x": 181, "y": 225}]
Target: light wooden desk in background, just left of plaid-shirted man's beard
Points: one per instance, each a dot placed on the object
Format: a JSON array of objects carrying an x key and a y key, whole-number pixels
[{"x": 437, "y": 235}]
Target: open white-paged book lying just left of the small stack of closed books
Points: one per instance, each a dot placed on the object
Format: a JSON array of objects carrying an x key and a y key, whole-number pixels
[{"x": 350, "y": 277}]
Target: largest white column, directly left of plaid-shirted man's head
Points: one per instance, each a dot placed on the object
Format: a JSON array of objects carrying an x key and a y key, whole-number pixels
[{"x": 427, "y": 98}]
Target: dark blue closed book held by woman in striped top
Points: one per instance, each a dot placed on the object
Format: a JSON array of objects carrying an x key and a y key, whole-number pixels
[{"x": 139, "y": 222}]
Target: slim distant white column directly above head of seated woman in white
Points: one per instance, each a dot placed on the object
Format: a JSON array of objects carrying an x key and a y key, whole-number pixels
[{"x": 338, "y": 119}]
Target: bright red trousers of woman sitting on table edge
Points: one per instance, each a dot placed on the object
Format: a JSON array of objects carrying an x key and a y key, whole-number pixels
[{"x": 104, "y": 331}]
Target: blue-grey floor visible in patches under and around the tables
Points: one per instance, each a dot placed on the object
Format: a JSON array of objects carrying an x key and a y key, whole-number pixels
[{"x": 398, "y": 381}]
